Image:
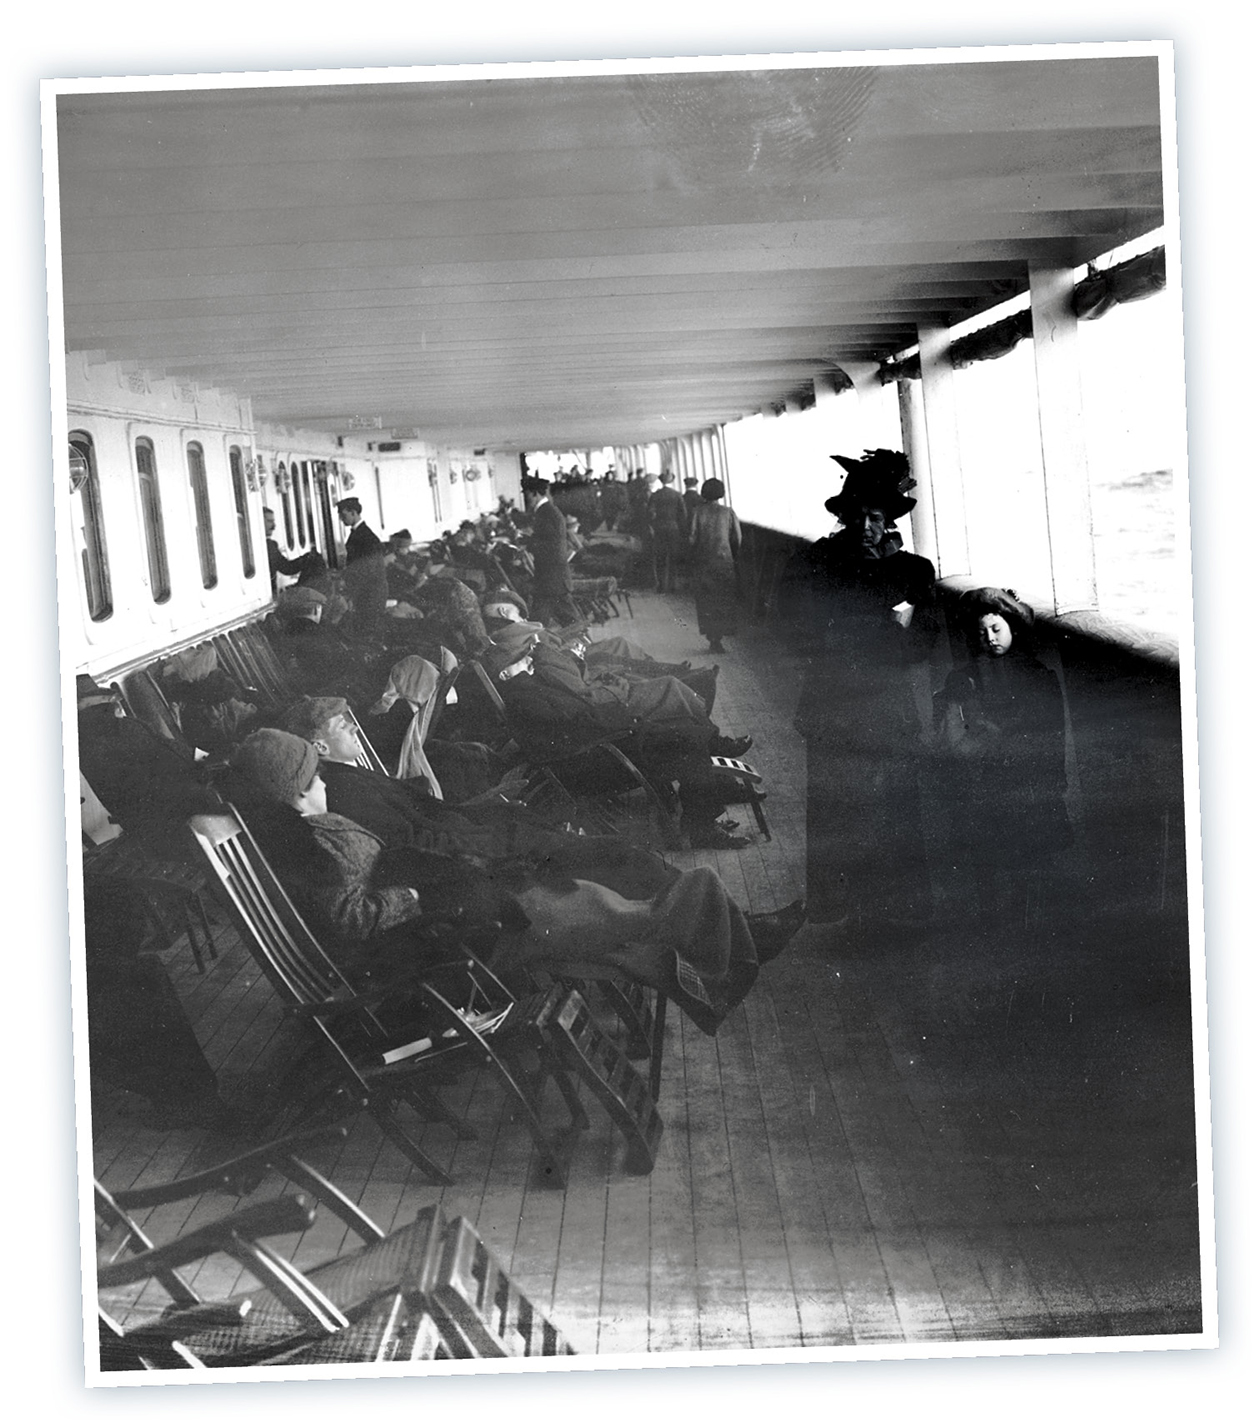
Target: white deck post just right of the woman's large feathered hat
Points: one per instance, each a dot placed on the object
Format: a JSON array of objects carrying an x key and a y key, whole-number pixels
[{"x": 943, "y": 468}]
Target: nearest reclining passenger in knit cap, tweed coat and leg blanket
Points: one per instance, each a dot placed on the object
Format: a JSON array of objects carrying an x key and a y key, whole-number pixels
[{"x": 690, "y": 939}]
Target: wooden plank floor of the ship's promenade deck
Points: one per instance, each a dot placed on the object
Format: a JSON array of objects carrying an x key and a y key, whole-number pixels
[{"x": 987, "y": 1136}]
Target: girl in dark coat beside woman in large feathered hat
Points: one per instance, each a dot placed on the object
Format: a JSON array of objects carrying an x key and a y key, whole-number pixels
[{"x": 1003, "y": 730}]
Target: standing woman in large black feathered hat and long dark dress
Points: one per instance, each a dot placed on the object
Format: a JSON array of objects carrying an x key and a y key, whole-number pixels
[{"x": 861, "y": 608}]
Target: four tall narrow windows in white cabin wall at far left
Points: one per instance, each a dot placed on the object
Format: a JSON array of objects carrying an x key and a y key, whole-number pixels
[{"x": 93, "y": 552}]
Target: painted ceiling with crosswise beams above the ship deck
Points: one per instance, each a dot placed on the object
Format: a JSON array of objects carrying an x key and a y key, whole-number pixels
[{"x": 562, "y": 263}]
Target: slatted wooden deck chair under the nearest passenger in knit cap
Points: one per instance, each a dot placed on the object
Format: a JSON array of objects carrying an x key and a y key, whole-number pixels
[{"x": 390, "y": 1042}]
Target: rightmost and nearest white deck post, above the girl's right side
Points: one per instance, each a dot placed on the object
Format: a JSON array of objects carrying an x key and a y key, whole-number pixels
[{"x": 1064, "y": 459}]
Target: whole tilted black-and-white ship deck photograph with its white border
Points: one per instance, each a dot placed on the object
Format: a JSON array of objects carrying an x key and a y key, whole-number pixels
[{"x": 627, "y": 639}]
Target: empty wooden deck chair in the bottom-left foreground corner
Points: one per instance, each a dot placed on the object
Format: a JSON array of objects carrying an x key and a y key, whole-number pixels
[{"x": 429, "y": 1290}]
